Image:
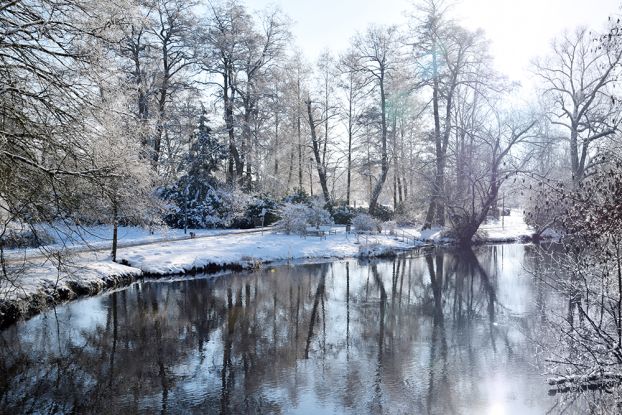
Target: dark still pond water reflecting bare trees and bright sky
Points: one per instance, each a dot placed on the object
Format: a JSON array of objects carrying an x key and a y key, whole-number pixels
[{"x": 442, "y": 334}]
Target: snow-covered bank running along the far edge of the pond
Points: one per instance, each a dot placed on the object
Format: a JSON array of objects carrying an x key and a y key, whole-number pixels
[{"x": 39, "y": 284}]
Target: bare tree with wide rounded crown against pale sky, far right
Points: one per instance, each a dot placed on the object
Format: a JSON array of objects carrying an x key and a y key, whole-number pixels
[{"x": 577, "y": 82}]
